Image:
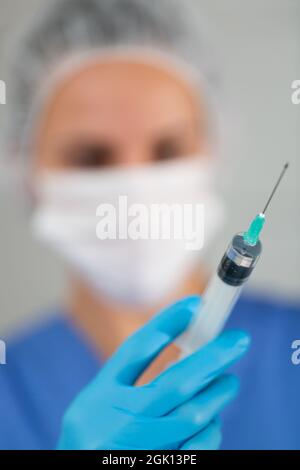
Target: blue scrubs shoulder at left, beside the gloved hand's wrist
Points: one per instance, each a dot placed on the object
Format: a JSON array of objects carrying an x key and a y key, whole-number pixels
[{"x": 46, "y": 365}]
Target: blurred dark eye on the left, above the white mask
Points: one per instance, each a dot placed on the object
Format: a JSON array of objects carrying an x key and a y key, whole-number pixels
[{"x": 88, "y": 156}]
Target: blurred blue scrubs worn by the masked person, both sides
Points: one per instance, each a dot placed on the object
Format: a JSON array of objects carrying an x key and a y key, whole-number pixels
[{"x": 47, "y": 367}]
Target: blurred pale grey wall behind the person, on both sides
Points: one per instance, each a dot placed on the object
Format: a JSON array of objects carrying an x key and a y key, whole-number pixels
[{"x": 258, "y": 45}]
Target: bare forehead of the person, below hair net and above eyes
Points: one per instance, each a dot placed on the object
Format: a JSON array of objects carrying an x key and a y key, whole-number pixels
[{"x": 119, "y": 94}]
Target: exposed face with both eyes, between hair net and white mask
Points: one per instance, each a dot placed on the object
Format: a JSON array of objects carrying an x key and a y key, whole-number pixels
[{"x": 118, "y": 113}]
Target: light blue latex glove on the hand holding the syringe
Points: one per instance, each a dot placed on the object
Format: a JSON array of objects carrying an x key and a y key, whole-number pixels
[{"x": 177, "y": 410}]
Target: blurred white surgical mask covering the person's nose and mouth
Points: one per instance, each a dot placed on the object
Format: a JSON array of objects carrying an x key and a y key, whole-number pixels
[{"x": 103, "y": 224}]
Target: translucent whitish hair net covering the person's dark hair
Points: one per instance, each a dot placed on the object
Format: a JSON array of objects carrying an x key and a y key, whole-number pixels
[{"x": 69, "y": 27}]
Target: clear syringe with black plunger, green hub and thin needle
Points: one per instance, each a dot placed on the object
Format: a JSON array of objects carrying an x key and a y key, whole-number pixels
[{"x": 226, "y": 285}]
